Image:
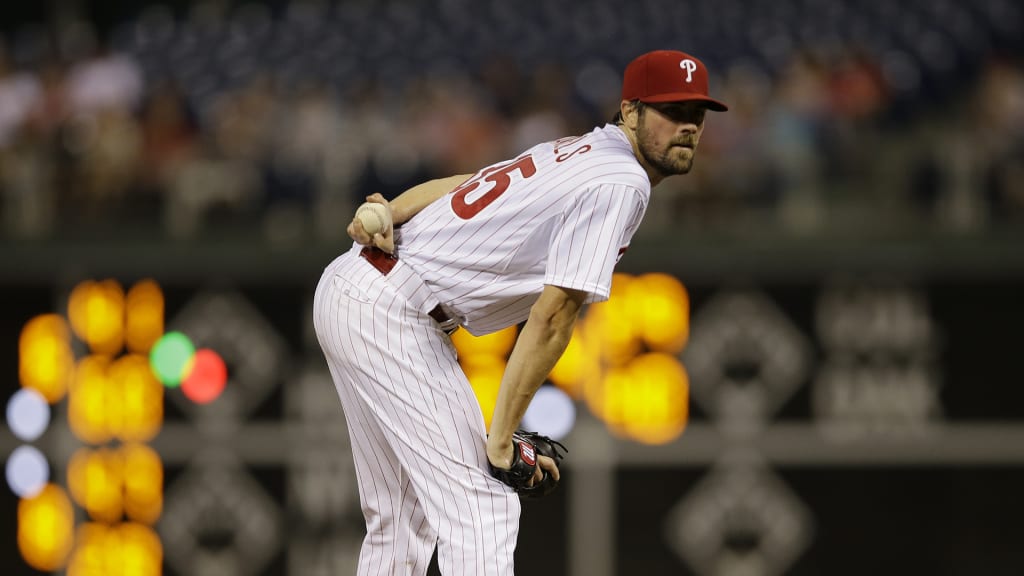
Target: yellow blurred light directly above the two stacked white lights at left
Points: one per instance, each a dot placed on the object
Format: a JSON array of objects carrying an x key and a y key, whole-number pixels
[{"x": 46, "y": 358}]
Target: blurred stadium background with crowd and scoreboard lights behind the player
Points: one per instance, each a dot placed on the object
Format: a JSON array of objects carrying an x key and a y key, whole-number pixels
[{"x": 812, "y": 364}]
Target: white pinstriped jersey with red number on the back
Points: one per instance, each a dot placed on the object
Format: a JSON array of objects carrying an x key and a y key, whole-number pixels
[{"x": 561, "y": 214}]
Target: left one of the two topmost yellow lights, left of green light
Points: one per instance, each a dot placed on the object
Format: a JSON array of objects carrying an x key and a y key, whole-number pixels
[{"x": 97, "y": 312}]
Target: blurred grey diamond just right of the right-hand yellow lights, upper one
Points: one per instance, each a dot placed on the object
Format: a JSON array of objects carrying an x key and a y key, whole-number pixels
[{"x": 745, "y": 357}]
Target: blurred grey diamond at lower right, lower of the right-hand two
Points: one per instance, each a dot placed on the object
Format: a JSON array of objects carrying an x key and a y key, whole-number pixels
[{"x": 740, "y": 520}]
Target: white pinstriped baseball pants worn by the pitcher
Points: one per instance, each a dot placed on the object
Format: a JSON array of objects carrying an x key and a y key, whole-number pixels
[{"x": 417, "y": 432}]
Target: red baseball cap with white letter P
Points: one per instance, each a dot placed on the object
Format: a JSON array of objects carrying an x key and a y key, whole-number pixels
[{"x": 668, "y": 76}]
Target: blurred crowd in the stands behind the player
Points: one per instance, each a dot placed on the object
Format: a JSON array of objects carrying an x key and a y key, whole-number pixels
[{"x": 108, "y": 133}]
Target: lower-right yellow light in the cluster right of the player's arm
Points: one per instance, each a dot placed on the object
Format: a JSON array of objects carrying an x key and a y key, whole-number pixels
[{"x": 652, "y": 402}]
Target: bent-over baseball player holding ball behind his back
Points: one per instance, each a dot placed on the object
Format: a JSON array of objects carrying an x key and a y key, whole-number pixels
[{"x": 531, "y": 239}]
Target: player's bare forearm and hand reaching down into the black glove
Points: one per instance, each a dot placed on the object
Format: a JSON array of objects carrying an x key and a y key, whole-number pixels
[{"x": 541, "y": 344}]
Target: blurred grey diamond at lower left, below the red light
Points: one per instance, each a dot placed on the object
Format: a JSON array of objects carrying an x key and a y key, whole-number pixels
[{"x": 220, "y": 521}]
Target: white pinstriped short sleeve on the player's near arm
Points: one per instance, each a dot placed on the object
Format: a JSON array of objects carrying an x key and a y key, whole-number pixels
[{"x": 595, "y": 229}]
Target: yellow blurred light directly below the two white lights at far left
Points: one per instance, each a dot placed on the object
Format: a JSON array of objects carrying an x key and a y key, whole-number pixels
[{"x": 46, "y": 529}]
